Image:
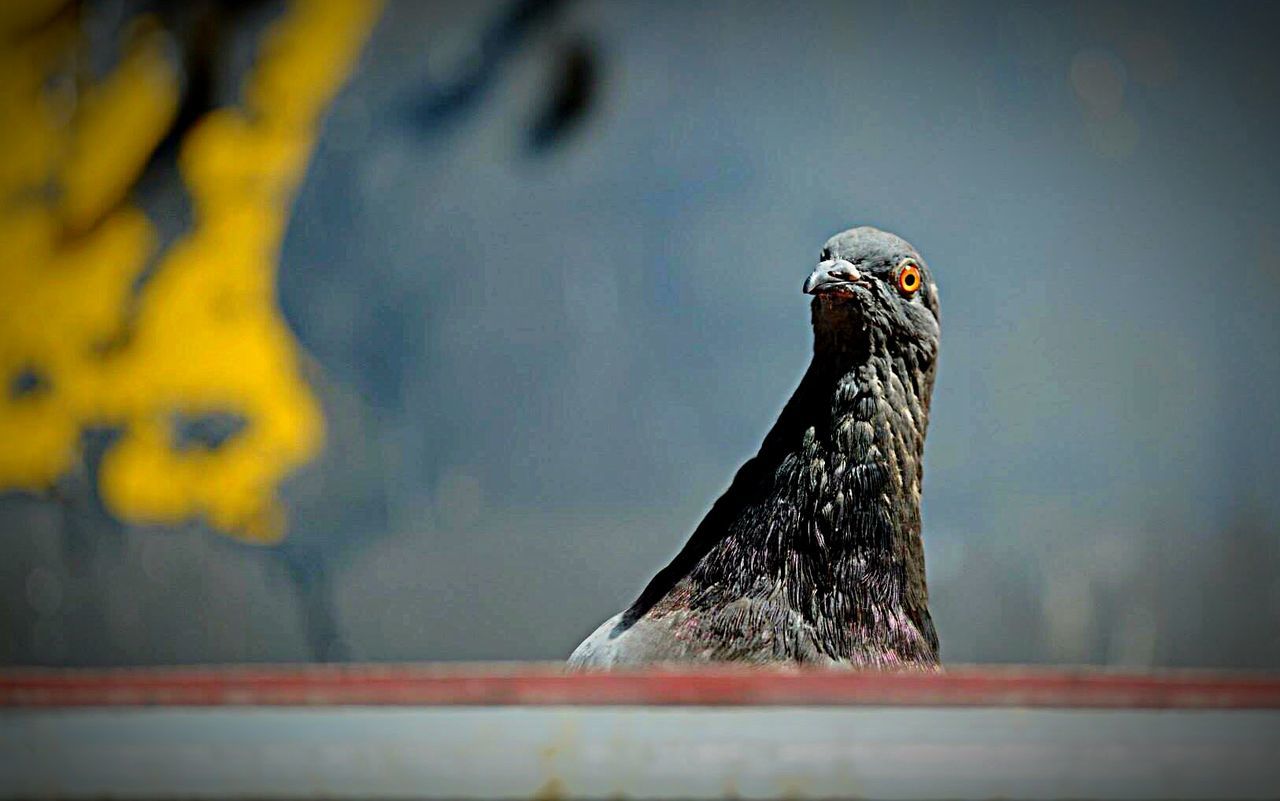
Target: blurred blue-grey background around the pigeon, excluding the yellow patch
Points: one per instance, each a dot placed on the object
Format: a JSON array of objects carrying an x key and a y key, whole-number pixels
[{"x": 547, "y": 267}]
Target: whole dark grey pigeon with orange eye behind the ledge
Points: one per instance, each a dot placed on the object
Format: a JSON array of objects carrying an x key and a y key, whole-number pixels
[{"x": 813, "y": 556}]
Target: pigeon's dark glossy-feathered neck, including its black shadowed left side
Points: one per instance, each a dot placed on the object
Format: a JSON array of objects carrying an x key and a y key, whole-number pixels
[{"x": 825, "y": 521}]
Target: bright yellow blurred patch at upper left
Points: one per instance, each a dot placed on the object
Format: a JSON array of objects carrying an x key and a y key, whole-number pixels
[{"x": 81, "y": 345}]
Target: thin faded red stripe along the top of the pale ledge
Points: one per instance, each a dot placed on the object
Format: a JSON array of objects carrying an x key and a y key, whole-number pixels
[{"x": 540, "y": 685}]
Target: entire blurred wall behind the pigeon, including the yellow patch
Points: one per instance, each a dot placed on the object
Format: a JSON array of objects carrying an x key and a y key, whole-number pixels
[{"x": 523, "y": 296}]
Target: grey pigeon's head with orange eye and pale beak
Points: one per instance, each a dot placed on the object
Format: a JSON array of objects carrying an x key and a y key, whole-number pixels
[{"x": 872, "y": 285}]
